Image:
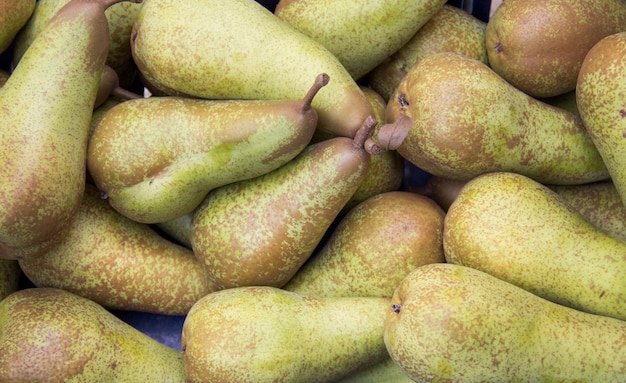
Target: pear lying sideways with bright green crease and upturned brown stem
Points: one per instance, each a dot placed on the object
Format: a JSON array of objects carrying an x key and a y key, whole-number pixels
[{"x": 157, "y": 158}]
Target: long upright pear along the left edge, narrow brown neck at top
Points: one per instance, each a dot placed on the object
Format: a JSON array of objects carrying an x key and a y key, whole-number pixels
[{"x": 50, "y": 95}]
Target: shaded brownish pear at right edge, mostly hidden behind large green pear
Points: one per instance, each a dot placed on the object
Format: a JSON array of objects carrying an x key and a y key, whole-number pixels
[{"x": 599, "y": 203}]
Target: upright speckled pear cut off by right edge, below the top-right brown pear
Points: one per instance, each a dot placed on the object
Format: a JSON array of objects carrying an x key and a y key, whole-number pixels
[{"x": 599, "y": 96}]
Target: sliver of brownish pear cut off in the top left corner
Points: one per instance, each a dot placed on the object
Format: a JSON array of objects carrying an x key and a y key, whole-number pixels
[{"x": 14, "y": 14}]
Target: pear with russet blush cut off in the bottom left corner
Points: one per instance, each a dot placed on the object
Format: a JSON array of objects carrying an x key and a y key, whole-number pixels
[{"x": 52, "y": 335}]
